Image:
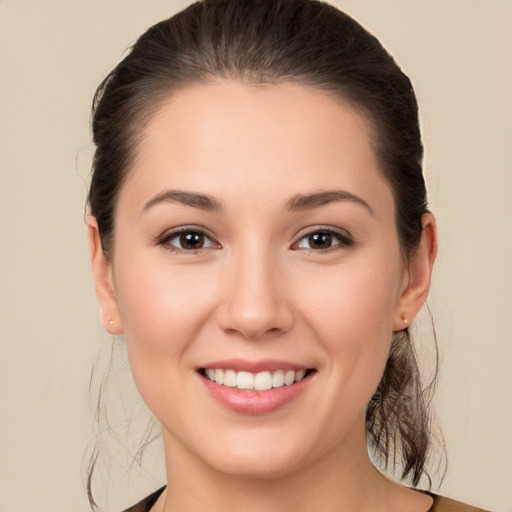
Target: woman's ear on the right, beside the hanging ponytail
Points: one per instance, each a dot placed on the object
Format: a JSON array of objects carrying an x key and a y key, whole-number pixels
[{"x": 416, "y": 283}]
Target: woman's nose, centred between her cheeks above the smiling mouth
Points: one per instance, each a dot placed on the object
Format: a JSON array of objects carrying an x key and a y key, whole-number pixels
[{"x": 254, "y": 299}]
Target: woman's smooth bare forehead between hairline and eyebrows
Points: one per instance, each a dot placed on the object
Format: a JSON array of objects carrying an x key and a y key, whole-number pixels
[{"x": 233, "y": 139}]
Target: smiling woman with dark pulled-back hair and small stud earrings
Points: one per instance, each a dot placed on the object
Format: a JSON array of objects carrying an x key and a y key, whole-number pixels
[{"x": 259, "y": 232}]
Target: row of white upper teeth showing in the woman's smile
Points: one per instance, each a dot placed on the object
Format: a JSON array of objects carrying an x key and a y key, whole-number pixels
[{"x": 262, "y": 381}]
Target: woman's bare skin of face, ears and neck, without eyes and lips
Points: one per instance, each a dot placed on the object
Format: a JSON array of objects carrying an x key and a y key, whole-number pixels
[{"x": 258, "y": 290}]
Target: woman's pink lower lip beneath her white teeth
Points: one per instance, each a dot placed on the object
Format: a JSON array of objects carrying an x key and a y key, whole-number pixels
[{"x": 255, "y": 402}]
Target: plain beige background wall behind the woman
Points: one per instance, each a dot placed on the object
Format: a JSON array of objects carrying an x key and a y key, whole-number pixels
[{"x": 52, "y": 55}]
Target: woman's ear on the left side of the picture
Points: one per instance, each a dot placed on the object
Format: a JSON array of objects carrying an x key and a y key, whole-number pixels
[{"x": 103, "y": 280}]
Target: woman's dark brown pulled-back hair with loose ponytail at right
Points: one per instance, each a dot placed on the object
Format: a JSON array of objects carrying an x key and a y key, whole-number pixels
[{"x": 275, "y": 41}]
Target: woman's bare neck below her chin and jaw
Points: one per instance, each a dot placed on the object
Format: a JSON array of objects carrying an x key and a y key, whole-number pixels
[{"x": 343, "y": 479}]
